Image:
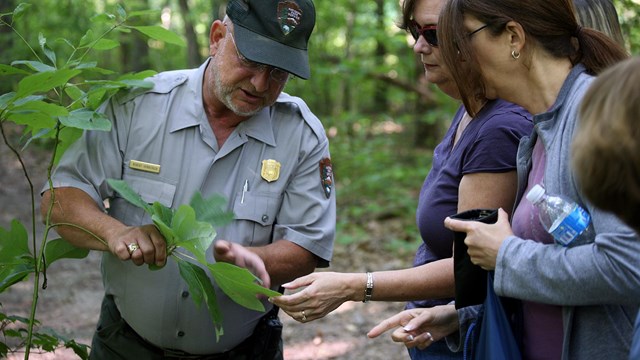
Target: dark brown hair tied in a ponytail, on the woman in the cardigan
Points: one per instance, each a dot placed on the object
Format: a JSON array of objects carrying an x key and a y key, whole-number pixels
[{"x": 551, "y": 24}]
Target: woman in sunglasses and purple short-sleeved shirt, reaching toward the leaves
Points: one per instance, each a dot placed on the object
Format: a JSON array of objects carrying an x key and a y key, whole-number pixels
[{"x": 473, "y": 167}]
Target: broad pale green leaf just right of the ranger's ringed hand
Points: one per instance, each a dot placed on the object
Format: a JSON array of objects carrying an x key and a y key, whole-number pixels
[{"x": 195, "y": 236}]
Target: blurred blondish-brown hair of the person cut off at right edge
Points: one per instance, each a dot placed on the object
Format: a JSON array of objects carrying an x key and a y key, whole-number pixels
[{"x": 606, "y": 147}]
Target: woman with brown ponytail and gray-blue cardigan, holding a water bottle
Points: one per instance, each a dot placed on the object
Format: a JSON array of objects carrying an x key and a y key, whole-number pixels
[{"x": 577, "y": 302}]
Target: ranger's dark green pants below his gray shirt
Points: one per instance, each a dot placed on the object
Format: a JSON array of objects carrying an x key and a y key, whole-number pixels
[{"x": 114, "y": 339}]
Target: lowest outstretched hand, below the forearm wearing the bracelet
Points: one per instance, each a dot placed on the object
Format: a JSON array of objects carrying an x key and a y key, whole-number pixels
[{"x": 419, "y": 327}]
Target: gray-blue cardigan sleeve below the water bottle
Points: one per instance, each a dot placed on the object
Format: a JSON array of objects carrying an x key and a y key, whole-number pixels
[{"x": 605, "y": 271}]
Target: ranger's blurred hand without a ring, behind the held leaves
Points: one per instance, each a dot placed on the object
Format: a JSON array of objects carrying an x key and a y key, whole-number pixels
[{"x": 225, "y": 251}]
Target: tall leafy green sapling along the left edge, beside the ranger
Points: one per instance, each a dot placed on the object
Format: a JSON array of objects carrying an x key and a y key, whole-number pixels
[{"x": 55, "y": 104}]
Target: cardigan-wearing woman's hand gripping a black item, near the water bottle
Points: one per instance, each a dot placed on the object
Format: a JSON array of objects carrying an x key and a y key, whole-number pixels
[{"x": 483, "y": 240}]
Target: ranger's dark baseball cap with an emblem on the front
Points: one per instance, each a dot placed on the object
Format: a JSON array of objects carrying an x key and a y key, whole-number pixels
[{"x": 274, "y": 32}]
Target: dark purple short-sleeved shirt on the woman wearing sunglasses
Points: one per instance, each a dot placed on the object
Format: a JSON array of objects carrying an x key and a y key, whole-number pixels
[{"x": 488, "y": 144}]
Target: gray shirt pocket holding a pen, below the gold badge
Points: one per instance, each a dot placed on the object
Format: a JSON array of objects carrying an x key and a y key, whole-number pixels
[{"x": 255, "y": 215}]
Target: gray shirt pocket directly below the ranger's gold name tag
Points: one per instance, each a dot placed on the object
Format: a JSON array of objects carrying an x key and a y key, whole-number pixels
[{"x": 150, "y": 190}]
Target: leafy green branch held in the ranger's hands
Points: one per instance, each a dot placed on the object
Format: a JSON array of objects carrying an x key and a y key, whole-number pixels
[{"x": 191, "y": 227}]
